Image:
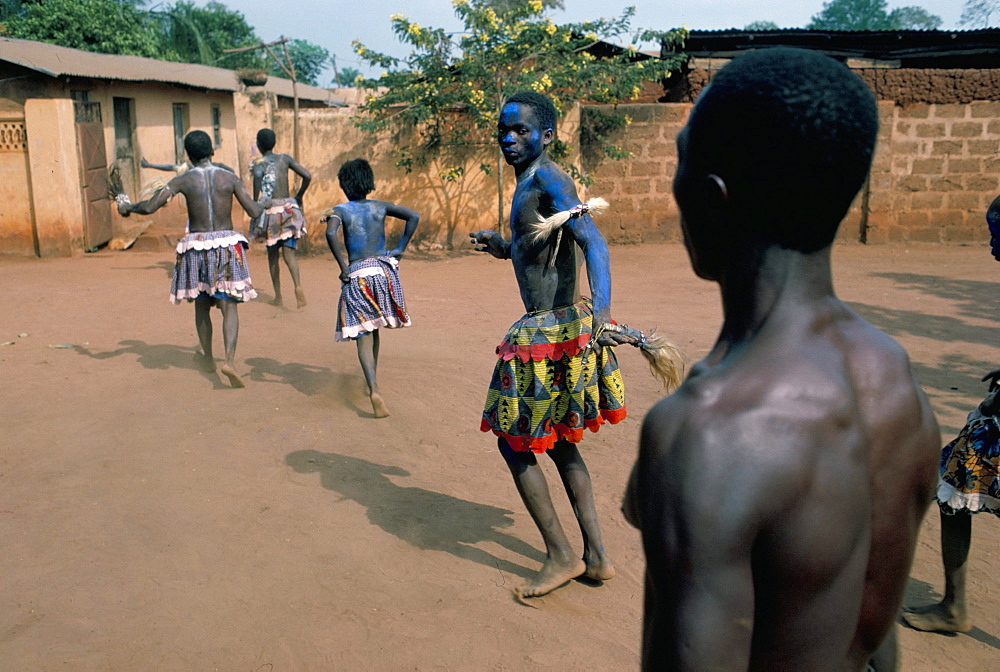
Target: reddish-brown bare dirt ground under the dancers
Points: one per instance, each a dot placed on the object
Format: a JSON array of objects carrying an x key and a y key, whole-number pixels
[{"x": 152, "y": 518}]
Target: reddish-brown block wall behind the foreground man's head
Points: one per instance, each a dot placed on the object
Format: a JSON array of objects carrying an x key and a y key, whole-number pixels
[{"x": 936, "y": 170}]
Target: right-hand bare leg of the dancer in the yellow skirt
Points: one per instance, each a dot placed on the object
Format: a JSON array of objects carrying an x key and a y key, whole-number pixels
[{"x": 576, "y": 480}]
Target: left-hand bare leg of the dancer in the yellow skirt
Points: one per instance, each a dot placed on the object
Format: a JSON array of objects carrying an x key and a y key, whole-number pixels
[{"x": 561, "y": 564}]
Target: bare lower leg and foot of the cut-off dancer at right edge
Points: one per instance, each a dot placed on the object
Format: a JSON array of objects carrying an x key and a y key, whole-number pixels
[{"x": 949, "y": 615}]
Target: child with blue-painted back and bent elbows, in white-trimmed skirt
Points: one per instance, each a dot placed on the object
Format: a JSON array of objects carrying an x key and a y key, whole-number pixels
[{"x": 371, "y": 296}]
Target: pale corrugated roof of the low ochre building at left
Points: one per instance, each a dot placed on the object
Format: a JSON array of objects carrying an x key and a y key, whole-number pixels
[{"x": 56, "y": 61}]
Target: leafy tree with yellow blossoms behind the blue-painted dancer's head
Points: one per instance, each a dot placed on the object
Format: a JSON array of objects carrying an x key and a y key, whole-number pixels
[{"x": 451, "y": 86}]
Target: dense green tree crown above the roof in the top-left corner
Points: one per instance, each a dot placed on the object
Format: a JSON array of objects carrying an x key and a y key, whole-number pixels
[{"x": 103, "y": 26}]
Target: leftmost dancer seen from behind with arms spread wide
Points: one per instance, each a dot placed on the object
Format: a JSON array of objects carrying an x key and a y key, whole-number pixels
[{"x": 211, "y": 267}]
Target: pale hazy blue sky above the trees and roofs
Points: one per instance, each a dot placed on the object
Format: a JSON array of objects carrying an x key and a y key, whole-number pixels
[{"x": 334, "y": 24}]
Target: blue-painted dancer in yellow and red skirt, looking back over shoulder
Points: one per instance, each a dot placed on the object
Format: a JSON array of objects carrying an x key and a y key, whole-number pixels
[{"x": 551, "y": 381}]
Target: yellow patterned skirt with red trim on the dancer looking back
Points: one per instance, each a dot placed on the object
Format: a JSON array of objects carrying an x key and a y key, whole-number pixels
[{"x": 548, "y": 385}]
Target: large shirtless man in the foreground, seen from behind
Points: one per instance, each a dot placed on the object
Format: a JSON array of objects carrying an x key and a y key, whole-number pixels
[{"x": 780, "y": 490}]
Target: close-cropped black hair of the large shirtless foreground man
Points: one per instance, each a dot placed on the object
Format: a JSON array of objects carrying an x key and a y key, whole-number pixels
[{"x": 792, "y": 134}]
